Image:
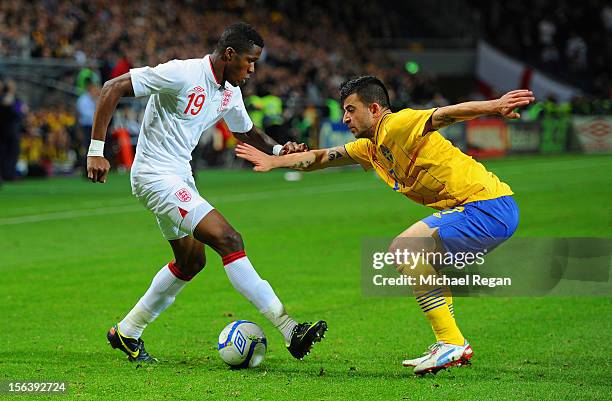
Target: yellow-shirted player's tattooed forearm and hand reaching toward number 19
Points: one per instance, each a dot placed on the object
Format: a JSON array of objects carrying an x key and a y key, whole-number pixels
[{"x": 304, "y": 161}]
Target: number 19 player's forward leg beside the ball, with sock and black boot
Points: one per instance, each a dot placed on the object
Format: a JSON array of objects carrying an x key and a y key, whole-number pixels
[{"x": 215, "y": 231}]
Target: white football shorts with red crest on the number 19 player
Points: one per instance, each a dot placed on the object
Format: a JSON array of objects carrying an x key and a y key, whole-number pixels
[{"x": 174, "y": 201}]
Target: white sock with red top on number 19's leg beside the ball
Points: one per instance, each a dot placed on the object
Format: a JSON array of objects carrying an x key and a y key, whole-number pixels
[{"x": 245, "y": 279}]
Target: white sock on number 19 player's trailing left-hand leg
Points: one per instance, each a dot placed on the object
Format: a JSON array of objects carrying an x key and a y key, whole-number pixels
[{"x": 160, "y": 295}]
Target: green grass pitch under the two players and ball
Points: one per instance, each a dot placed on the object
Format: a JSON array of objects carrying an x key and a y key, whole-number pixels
[{"x": 75, "y": 257}]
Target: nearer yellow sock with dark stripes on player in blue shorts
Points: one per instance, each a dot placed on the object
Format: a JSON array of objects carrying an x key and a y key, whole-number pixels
[{"x": 436, "y": 303}]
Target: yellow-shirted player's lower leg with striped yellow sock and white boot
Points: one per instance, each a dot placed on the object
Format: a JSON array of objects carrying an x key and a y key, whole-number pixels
[{"x": 436, "y": 302}]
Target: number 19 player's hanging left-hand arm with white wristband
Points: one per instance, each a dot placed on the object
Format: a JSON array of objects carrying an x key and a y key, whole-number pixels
[{"x": 112, "y": 91}]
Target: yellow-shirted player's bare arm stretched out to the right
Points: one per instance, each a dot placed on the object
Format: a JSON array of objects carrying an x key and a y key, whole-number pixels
[{"x": 504, "y": 106}]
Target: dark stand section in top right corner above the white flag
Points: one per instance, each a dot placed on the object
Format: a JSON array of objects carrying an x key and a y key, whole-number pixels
[{"x": 571, "y": 41}]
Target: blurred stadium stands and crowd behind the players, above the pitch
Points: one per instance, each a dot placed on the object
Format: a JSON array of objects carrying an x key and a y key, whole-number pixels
[{"x": 56, "y": 54}]
